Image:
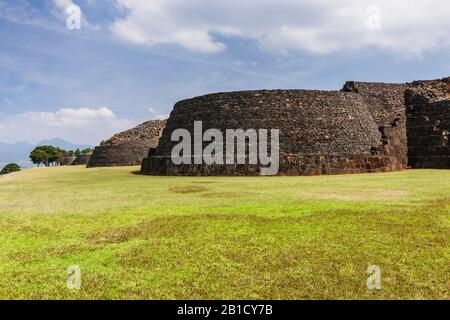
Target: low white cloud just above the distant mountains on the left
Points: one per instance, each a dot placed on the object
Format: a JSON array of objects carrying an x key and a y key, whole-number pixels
[{"x": 82, "y": 125}]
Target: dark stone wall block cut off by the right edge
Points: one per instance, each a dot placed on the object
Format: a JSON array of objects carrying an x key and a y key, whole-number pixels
[{"x": 428, "y": 124}]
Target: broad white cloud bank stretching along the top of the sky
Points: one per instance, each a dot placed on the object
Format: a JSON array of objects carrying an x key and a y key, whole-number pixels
[{"x": 408, "y": 27}]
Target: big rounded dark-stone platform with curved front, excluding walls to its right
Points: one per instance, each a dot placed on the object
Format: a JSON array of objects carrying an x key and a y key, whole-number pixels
[{"x": 321, "y": 132}]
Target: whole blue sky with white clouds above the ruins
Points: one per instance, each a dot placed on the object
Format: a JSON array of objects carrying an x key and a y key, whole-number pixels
[{"x": 133, "y": 59}]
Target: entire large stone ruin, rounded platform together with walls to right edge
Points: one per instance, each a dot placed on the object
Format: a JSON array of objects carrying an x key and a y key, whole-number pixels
[{"x": 365, "y": 127}]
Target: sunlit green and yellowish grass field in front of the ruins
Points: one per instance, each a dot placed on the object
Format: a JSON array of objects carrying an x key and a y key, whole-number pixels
[{"x": 223, "y": 238}]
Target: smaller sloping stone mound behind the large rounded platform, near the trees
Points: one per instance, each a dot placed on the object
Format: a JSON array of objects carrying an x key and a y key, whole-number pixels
[{"x": 128, "y": 148}]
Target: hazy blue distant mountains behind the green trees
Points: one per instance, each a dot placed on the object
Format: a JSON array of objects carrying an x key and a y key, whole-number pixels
[{"x": 19, "y": 152}]
